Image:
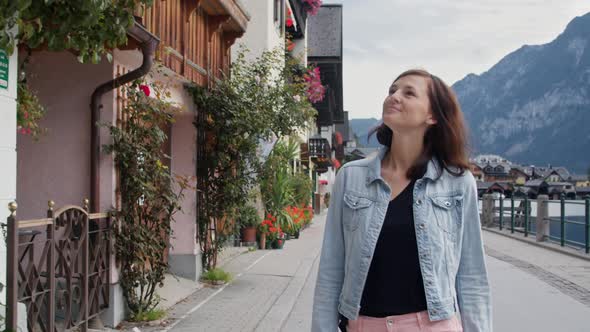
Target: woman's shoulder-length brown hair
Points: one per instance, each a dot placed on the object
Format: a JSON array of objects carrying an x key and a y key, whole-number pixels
[{"x": 446, "y": 140}]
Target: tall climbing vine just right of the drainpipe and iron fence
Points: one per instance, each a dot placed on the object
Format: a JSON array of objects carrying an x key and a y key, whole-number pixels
[{"x": 150, "y": 195}]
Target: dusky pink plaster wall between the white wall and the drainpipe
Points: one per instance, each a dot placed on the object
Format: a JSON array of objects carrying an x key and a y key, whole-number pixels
[{"x": 57, "y": 167}]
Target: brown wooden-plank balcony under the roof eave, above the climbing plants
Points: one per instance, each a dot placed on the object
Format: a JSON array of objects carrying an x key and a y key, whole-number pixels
[{"x": 196, "y": 35}]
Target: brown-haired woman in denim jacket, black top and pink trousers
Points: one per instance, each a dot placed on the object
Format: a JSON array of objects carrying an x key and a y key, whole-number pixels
[{"x": 402, "y": 247}]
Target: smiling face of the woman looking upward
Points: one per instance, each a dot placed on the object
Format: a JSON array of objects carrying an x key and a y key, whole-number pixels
[{"x": 407, "y": 106}]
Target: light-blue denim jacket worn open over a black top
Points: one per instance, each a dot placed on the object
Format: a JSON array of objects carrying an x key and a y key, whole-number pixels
[{"x": 448, "y": 235}]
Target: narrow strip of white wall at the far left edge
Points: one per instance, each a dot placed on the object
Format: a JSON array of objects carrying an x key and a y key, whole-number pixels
[{"x": 7, "y": 157}]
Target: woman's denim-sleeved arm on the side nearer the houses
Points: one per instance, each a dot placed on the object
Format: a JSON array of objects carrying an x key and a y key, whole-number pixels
[{"x": 331, "y": 269}]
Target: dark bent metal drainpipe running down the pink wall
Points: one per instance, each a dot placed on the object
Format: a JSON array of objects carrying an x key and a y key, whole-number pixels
[{"x": 149, "y": 43}]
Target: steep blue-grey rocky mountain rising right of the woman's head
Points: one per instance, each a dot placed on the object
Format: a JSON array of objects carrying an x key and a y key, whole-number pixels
[{"x": 533, "y": 107}]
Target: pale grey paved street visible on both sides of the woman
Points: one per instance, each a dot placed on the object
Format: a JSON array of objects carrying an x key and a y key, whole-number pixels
[{"x": 273, "y": 290}]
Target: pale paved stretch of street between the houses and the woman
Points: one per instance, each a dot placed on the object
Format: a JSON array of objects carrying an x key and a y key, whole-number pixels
[{"x": 271, "y": 291}]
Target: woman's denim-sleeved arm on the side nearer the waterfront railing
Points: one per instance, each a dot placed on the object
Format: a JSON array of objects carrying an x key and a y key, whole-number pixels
[{"x": 472, "y": 284}]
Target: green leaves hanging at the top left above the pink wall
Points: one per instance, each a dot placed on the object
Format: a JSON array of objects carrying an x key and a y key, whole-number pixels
[{"x": 89, "y": 28}]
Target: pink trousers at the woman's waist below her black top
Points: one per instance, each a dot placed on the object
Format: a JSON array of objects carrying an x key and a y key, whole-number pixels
[{"x": 414, "y": 322}]
